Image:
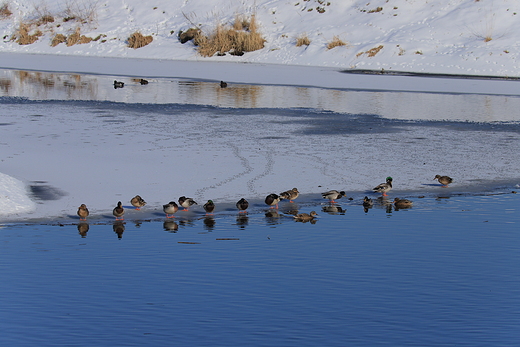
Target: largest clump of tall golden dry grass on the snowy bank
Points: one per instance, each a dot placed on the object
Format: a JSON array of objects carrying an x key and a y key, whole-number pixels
[{"x": 230, "y": 39}]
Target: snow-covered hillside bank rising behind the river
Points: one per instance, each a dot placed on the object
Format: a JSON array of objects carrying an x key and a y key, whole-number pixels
[{"x": 443, "y": 36}]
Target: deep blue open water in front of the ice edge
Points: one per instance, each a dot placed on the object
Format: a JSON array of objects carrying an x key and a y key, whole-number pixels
[{"x": 443, "y": 273}]
